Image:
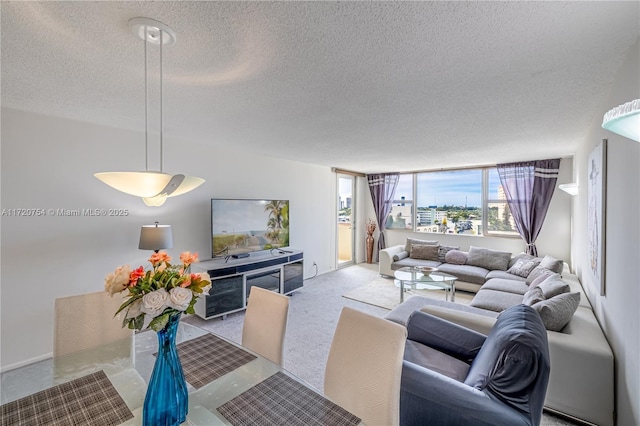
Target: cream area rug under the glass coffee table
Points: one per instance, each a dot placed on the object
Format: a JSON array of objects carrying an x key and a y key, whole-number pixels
[{"x": 383, "y": 293}]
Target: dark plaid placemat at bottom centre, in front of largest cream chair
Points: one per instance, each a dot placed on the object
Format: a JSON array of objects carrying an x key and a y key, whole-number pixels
[{"x": 280, "y": 400}]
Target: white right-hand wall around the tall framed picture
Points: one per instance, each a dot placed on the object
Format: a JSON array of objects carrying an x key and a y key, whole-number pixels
[{"x": 618, "y": 310}]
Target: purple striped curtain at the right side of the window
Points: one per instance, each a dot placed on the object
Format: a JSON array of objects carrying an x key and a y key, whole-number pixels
[{"x": 528, "y": 187}]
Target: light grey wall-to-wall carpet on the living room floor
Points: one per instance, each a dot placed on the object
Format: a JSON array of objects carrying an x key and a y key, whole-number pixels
[{"x": 314, "y": 310}]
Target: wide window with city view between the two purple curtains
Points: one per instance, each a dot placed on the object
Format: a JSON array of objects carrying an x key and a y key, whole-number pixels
[{"x": 468, "y": 201}]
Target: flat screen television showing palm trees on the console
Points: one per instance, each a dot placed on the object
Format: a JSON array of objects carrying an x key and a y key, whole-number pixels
[{"x": 244, "y": 226}]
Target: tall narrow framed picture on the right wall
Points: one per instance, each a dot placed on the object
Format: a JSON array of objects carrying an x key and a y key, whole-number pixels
[{"x": 596, "y": 214}]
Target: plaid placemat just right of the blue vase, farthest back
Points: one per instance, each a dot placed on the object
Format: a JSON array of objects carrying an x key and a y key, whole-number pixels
[{"x": 208, "y": 357}]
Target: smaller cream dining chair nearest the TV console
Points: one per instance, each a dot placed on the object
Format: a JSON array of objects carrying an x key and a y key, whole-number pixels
[{"x": 265, "y": 323}]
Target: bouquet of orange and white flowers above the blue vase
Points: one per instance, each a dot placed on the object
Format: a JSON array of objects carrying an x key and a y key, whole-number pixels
[{"x": 159, "y": 292}]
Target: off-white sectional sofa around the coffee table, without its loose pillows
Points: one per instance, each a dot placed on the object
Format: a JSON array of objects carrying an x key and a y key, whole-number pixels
[{"x": 581, "y": 385}]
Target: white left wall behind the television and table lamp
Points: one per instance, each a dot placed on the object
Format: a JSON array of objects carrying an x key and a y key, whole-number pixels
[{"x": 49, "y": 163}]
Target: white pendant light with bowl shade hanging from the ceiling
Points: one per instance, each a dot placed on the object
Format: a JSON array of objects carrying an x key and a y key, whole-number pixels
[{"x": 154, "y": 187}]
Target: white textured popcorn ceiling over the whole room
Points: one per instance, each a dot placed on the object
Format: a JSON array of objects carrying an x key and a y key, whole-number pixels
[{"x": 365, "y": 86}]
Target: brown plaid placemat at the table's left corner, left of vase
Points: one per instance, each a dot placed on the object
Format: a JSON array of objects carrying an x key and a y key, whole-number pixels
[{"x": 89, "y": 400}]
